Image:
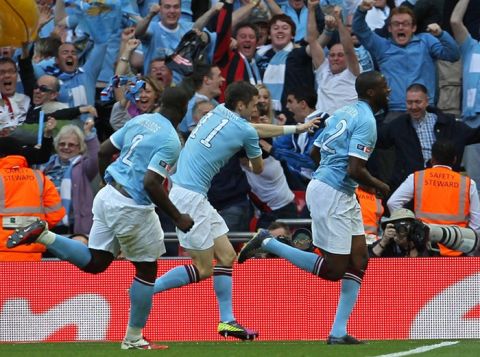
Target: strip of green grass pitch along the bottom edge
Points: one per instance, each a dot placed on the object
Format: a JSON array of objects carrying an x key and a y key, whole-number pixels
[{"x": 464, "y": 348}]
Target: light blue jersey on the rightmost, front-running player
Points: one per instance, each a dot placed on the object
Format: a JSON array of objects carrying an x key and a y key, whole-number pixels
[{"x": 350, "y": 131}]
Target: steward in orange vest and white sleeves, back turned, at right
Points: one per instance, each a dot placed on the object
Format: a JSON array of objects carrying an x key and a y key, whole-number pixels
[{"x": 441, "y": 196}]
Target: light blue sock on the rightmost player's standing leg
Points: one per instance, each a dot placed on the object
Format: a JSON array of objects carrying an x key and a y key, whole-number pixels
[{"x": 348, "y": 297}]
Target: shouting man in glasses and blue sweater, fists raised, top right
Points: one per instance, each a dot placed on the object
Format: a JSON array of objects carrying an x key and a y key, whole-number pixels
[{"x": 405, "y": 58}]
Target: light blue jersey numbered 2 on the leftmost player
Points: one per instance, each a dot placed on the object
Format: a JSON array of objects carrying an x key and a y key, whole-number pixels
[{"x": 148, "y": 141}]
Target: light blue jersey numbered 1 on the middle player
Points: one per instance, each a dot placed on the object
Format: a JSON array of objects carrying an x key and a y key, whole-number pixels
[{"x": 217, "y": 137}]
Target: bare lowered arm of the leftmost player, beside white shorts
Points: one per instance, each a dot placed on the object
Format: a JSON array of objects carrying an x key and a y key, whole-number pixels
[{"x": 152, "y": 183}]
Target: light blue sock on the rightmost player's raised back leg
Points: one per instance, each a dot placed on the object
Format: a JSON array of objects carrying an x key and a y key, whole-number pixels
[{"x": 303, "y": 260}]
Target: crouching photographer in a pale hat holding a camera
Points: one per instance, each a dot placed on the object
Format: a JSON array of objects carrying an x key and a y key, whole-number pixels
[{"x": 403, "y": 236}]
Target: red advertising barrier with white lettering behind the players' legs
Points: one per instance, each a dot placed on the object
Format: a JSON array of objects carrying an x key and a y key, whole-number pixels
[{"x": 424, "y": 298}]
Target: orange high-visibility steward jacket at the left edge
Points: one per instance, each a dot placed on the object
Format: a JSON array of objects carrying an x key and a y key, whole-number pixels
[{"x": 25, "y": 195}]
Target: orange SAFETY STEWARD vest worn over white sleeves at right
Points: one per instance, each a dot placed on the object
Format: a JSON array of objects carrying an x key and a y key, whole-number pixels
[{"x": 442, "y": 196}]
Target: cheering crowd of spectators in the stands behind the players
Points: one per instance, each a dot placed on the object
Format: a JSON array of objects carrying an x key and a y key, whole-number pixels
[{"x": 96, "y": 65}]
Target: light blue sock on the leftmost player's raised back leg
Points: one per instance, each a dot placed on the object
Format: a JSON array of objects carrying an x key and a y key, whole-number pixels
[{"x": 70, "y": 250}]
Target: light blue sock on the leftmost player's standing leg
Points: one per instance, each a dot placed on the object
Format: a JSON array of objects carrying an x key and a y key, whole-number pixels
[{"x": 141, "y": 293}]
